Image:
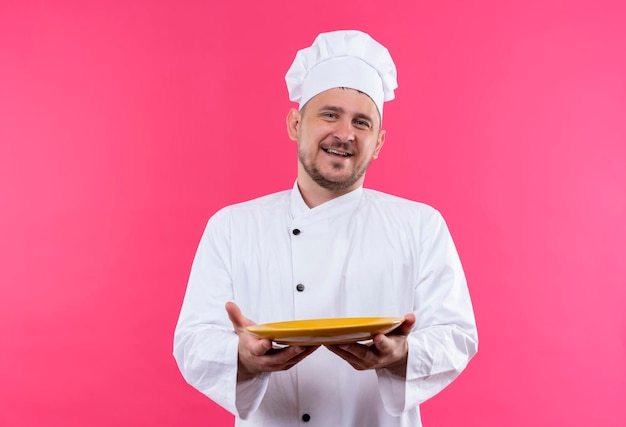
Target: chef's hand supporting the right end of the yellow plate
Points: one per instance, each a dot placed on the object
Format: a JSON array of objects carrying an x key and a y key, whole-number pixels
[{"x": 385, "y": 351}]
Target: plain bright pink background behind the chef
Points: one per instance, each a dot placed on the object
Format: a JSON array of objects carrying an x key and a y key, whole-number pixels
[{"x": 125, "y": 125}]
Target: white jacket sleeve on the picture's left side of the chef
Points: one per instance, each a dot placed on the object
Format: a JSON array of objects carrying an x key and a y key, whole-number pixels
[{"x": 205, "y": 345}]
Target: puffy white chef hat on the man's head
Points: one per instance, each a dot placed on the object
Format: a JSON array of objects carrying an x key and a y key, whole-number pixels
[{"x": 346, "y": 58}]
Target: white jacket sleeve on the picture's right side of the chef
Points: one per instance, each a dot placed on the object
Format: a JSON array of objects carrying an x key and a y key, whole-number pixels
[{"x": 444, "y": 338}]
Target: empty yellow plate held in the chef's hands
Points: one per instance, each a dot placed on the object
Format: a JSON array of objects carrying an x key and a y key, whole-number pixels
[{"x": 339, "y": 330}]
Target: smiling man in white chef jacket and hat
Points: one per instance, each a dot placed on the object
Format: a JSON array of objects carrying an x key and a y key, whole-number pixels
[{"x": 328, "y": 248}]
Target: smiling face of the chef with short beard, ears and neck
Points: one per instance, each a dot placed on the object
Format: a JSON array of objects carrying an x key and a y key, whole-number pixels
[{"x": 338, "y": 134}]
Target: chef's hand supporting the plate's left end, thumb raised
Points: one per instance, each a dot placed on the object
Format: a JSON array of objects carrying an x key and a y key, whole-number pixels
[{"x": 257, "y": 355}]
